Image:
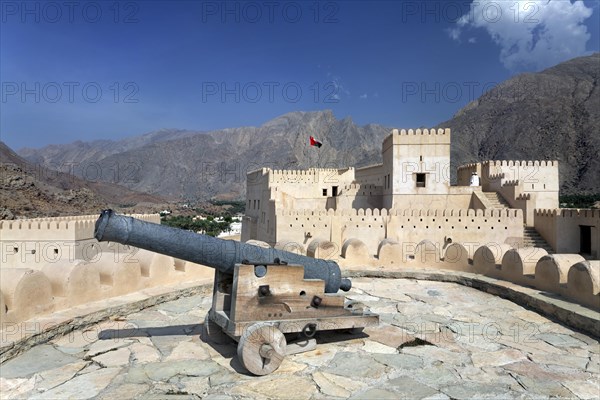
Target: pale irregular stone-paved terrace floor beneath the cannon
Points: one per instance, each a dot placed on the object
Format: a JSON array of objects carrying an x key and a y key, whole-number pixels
[{"x": 436, "y": 340}]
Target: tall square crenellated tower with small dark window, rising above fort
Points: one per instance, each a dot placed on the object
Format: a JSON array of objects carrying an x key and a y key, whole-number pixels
[{"x": 415, "y": 162}]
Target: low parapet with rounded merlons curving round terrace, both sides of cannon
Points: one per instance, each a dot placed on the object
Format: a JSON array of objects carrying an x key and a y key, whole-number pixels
[{"x": 40, "y": 288}]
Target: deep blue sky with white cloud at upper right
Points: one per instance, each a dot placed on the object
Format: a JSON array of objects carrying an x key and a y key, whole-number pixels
[{"x": 105, "y": 70}]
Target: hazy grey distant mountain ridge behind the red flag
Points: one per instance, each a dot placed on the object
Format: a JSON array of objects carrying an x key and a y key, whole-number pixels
[{"x": 186, "y": 165}]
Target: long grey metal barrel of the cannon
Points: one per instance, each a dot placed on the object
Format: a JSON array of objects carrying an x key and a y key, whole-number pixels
[{"x": 210, "y": 251}]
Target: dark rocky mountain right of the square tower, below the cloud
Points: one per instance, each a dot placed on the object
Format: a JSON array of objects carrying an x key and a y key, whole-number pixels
[{"x": 550, "y": 115}]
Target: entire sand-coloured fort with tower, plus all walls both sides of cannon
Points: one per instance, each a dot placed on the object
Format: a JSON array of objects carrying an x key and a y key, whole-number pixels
[{"x": 502, "y": 230}]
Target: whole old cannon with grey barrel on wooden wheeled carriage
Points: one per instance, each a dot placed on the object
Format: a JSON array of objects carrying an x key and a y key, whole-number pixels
[{"x": 270, "y": 301}]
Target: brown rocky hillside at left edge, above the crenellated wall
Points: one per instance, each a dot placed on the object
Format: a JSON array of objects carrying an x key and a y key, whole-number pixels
[{"x": 32, "y": 190}]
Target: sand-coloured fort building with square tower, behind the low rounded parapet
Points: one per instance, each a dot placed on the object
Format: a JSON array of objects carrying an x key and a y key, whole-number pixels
[{"x": 408, "y": 198}]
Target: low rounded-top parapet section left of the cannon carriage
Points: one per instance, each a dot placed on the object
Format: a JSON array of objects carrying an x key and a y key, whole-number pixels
[{"x": 26, "y": 293}]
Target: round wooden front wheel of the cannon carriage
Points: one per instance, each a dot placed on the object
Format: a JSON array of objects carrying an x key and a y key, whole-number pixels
[{"x": 261, "y": 348}]
